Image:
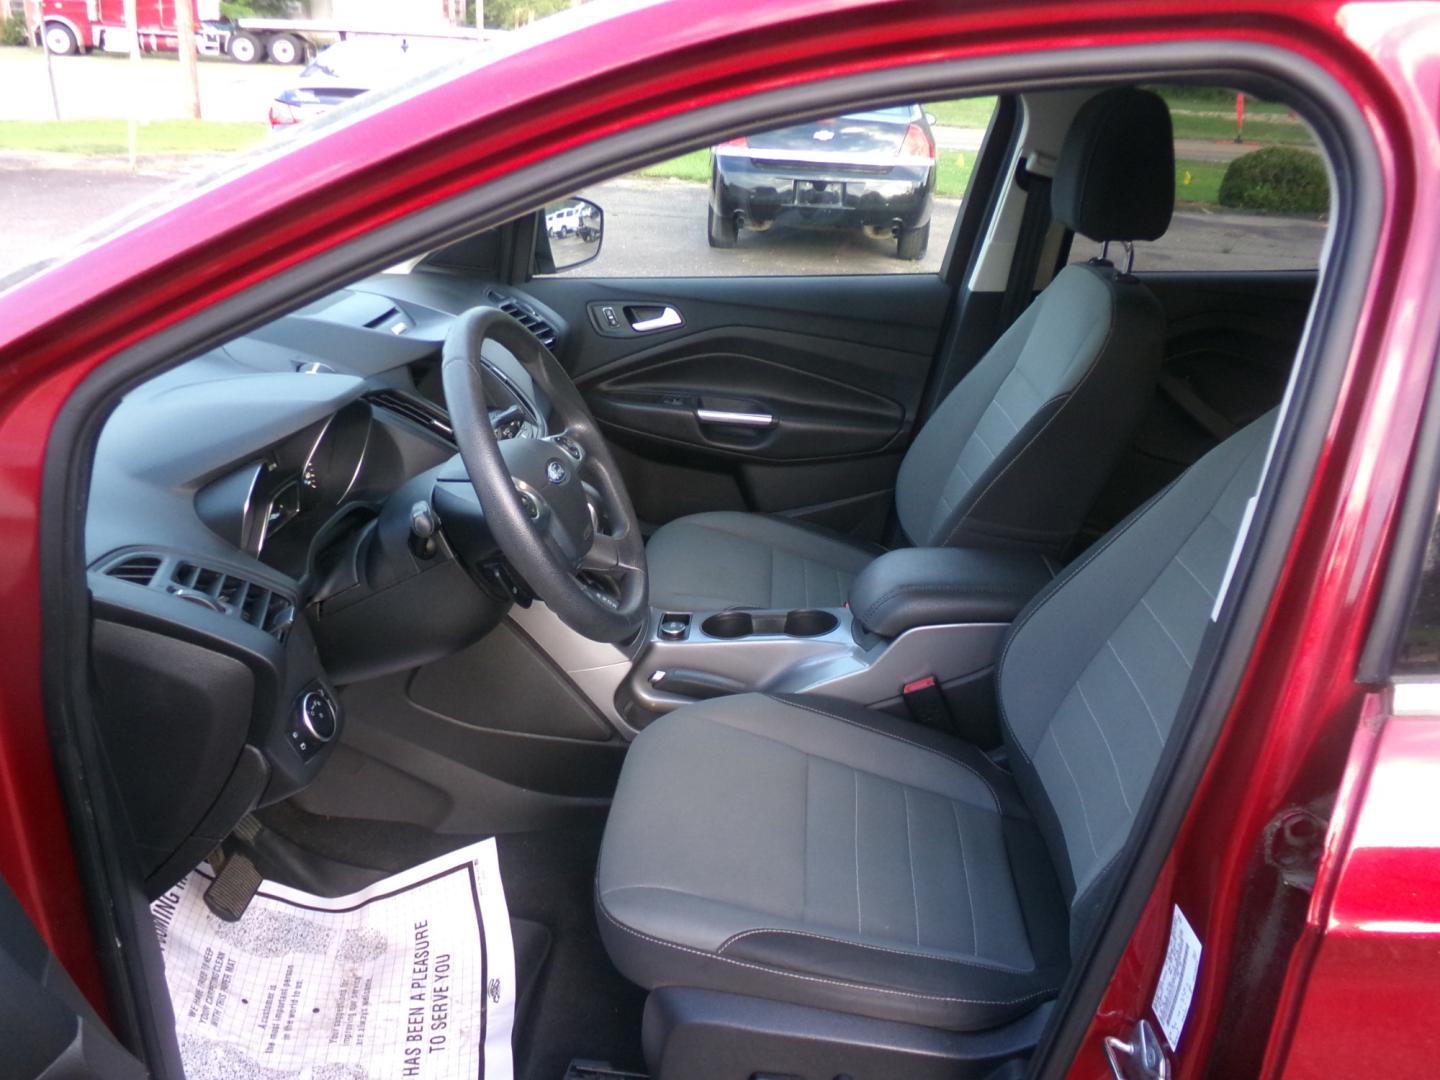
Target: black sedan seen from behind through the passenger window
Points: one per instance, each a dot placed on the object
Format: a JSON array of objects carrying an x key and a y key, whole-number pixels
[{"x": 872, "y": 171}]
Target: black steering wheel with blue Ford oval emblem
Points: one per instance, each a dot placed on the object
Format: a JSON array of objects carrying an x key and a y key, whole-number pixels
[{"x": 548, "y": 500}]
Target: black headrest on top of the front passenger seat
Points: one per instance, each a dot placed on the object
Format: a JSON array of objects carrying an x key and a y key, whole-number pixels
[{"x": 1117, "y": 174}]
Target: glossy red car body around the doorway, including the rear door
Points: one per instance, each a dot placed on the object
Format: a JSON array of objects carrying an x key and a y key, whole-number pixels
[{"x": 1362, "y": 989}]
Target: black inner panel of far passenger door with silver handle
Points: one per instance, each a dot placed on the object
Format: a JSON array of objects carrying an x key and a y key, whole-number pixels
[{"x": 774, "y": 395}]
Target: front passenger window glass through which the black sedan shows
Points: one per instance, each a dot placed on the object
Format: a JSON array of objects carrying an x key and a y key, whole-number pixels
[{"x": 870, "y": 192}]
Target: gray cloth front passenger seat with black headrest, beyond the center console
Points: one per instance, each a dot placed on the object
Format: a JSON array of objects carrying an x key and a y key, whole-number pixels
[{"x": 1016, "y": 454}]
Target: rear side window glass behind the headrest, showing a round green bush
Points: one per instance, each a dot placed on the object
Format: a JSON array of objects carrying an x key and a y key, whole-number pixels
[{"x": 1251, "y": 189}]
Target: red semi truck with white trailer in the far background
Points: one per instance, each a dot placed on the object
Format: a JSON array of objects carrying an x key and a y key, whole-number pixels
[{"x": 73, "y": 27}]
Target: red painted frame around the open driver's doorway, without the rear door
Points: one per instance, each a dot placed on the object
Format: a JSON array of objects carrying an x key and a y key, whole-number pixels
[{"x": 640, "y": 67}]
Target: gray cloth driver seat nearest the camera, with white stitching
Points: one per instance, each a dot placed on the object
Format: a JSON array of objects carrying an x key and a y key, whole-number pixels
[{"x": 807, "y": 852}]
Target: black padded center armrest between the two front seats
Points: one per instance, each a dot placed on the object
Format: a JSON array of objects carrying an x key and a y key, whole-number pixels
[{"x": 930, "y": 587}]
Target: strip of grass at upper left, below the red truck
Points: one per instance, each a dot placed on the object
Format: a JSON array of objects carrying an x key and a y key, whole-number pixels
[{"x": 113, "y": 136}]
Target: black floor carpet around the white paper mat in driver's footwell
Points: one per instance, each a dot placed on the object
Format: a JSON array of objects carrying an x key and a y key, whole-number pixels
[{"x": 577, "y": 1006}]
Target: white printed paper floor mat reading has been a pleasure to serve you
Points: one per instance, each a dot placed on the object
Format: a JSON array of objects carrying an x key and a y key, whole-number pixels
[{"x": 414, "y": 977}]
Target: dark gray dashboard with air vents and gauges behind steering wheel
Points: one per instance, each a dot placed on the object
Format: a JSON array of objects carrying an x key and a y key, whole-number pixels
[{"x": 243, "y": 546}]
